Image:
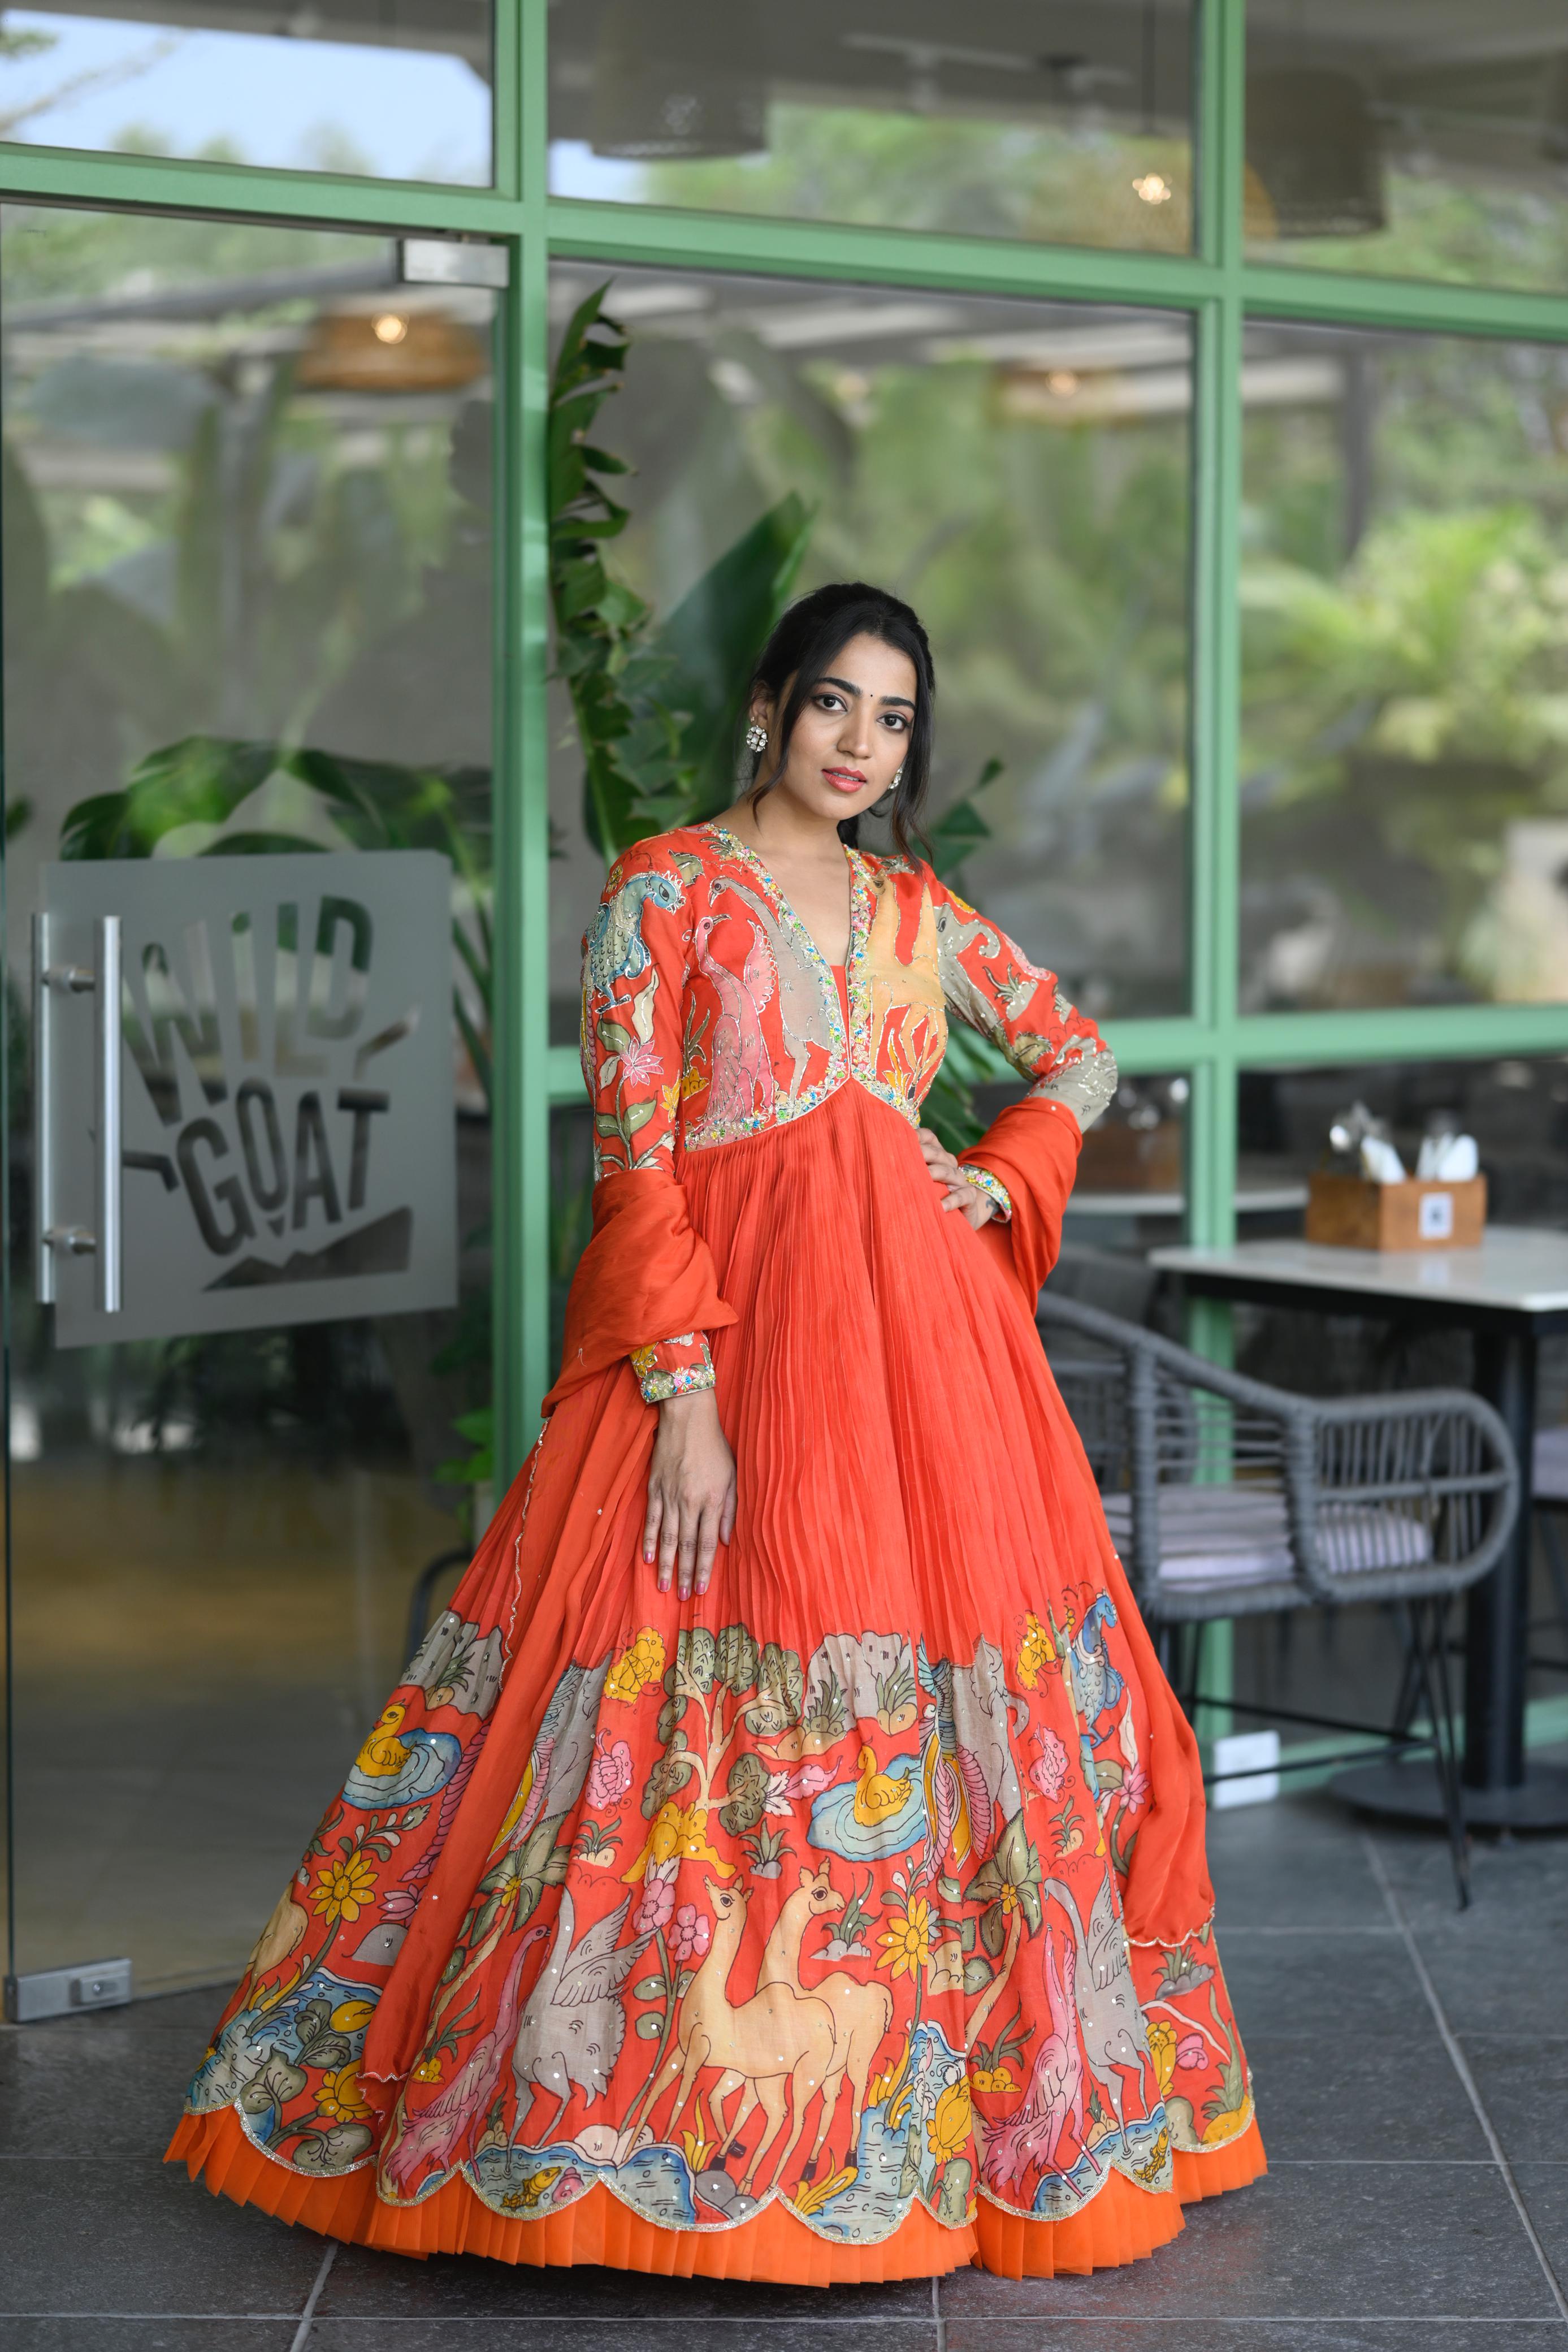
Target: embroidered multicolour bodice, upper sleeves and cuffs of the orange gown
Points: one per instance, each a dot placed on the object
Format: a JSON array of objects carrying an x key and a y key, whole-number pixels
[{"x": 711, "y": 1013}]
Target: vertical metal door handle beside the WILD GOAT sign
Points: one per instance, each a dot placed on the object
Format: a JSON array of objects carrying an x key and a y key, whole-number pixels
[{"x": 105, "y": 1241}]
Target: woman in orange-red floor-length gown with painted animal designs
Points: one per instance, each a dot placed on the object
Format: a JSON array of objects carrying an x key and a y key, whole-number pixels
[{"x": 786, "y": 1857}]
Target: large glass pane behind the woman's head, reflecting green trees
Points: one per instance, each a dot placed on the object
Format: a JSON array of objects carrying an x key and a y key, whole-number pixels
[{"x": 1021, "y": 474}]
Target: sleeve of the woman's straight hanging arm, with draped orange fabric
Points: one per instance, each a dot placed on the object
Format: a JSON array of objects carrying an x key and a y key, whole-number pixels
[{"x": 645, "y": 1288}]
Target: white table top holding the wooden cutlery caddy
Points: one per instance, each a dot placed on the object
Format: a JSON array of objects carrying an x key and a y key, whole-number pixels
[{"x": 1517, "y": 1267}]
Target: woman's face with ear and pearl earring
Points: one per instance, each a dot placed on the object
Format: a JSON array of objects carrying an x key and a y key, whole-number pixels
[{"x": 852, "y": 737}]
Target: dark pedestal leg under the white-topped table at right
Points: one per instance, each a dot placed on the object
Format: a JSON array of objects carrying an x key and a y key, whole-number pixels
[{"x": 1499, "y": 1612}]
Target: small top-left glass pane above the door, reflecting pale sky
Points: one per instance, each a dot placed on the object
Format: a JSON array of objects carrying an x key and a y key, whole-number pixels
[{"x": 398, "y": 91}]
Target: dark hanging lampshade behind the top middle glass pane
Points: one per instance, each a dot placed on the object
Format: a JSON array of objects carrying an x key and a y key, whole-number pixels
[{"x": 681, "y": 79}]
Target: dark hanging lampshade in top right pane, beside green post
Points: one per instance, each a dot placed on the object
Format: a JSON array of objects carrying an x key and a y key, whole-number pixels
[{"x": 1313, "y": 159}]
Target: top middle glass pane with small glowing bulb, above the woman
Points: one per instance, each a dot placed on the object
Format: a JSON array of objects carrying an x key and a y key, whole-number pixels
[{"x": 1026, "y": 121}]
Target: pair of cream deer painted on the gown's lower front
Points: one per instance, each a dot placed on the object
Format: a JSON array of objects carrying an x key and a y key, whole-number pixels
[{"x": 779, "y": 2047}]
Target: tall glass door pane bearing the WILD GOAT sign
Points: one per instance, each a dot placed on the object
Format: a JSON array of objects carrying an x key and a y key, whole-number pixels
[{"x": 246, "y": 556}]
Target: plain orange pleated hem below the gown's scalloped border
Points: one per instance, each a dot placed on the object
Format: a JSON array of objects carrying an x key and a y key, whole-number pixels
[{"x": 1120, "y": 2226}]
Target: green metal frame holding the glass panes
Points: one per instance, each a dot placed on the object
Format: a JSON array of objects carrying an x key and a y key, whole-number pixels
[{"x": 1217, "y": 286}]
